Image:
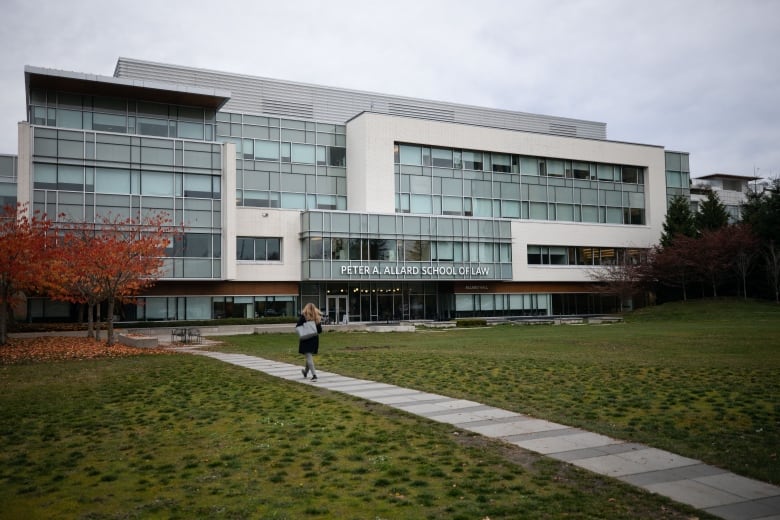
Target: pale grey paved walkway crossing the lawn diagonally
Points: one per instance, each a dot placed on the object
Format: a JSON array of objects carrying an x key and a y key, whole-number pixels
[{"x": 684, "y": 480}]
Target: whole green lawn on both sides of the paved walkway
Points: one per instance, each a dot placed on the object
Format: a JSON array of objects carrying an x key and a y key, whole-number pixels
[{"x": 190, "y": 437}]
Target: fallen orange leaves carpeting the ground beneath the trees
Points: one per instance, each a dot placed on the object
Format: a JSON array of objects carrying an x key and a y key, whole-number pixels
[{"x": 59, "y": 348}]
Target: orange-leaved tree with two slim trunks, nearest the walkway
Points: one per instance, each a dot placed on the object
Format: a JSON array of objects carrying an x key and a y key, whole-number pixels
[{"x": 110, "y": 261}]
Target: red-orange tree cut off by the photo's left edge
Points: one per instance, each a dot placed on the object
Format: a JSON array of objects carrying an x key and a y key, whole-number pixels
[{"x": 23, "y": 257}]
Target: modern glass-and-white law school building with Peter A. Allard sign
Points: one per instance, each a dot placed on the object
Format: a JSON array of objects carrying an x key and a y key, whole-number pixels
[{"x": 374, "y": 207}]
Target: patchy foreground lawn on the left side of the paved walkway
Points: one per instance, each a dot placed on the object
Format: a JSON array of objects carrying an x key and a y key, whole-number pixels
[{"x": 188, "y": 437}]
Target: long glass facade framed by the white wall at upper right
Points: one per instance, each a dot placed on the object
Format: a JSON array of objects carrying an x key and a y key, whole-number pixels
[{"x": 444, "y": 181}]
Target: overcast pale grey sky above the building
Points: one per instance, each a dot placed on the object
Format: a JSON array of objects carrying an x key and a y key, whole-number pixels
[{"x": 701, "y": 76}]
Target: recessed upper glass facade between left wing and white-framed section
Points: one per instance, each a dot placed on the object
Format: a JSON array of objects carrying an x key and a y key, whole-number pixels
[{"x": 286, "y": 163}]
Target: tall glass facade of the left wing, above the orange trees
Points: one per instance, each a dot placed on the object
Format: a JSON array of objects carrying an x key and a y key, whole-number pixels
[{"x": 97, "y": 170}]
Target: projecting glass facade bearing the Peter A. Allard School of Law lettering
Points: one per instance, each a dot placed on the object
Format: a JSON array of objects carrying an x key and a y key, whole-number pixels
[{"x": 404, "y": 247}]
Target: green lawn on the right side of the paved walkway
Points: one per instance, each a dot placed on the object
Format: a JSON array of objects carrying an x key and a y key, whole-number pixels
[{"x": 701, "y": 379}]
